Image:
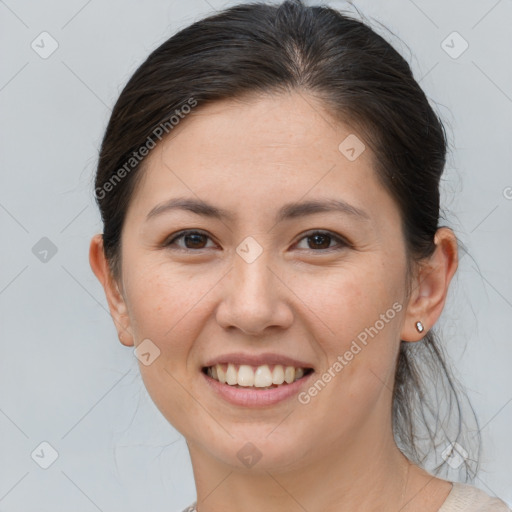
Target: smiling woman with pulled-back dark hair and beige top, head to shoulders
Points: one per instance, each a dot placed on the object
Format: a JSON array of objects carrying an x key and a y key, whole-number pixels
[{"x": 269, "y": 188}]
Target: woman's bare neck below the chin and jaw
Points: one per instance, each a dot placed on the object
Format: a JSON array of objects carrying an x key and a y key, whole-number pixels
[{"x": 370, "y": 476}]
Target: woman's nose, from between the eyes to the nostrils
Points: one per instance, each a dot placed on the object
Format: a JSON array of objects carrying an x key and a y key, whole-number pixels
[{"x": 254, "y": 297}]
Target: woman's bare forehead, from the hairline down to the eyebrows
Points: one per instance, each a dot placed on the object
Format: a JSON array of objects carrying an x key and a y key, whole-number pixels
[{"x": 257, "y": 153}]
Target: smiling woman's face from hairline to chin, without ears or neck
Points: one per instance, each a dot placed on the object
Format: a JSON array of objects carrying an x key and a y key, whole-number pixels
[{"x": 258, "y": 286}]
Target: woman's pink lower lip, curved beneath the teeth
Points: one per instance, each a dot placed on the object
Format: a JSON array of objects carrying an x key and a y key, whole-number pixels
[{"x": 254, "y": 397}]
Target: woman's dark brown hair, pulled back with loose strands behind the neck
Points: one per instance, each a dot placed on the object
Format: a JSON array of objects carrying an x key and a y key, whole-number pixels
[{"x": 363, "y": 82}]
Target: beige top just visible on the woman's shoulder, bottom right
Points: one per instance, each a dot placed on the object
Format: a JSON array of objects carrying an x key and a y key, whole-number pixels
[{"x": 462, "y": 498}]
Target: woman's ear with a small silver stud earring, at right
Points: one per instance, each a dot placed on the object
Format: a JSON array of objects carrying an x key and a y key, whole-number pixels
[{"x": 430, "y": 286}]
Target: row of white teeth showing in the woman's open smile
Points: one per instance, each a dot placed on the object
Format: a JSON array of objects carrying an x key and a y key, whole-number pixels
[{"x": 261, "y": 377}]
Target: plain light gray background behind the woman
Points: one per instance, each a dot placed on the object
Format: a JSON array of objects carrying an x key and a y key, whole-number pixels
[{"x": 64, "y": 376}]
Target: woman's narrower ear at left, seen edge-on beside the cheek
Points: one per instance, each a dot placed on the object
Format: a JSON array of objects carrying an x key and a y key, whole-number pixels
[{"x": 115, "y": 299}]
